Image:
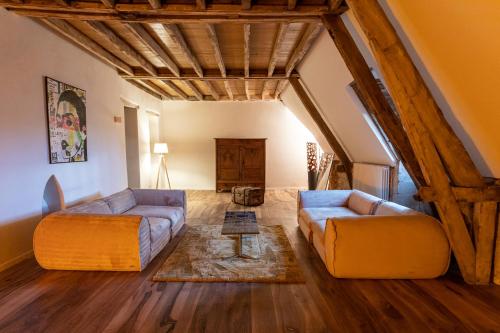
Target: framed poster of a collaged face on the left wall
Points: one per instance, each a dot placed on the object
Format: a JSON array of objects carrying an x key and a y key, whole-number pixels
[{"x": 67, "y": 122}]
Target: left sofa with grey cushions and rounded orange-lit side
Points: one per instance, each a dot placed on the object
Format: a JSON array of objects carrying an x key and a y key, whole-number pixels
[{"x": 121, "y": 232}]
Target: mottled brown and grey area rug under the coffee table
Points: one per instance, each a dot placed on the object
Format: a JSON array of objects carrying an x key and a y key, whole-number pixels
[{"x": 204, "y": 255}]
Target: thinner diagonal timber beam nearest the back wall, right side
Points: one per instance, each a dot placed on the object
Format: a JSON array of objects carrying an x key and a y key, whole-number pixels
[{"x": 323, "y": 126}]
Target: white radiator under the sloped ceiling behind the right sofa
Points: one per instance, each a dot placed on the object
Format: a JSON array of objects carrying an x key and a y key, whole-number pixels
[{"x": 372, "y": 178}]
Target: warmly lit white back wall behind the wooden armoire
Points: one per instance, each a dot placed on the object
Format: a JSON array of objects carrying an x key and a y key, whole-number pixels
[{"x": 189, "y": 128}]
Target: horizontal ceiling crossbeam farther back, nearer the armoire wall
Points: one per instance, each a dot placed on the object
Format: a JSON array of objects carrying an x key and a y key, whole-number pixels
[{"x": 209, "y": 74}]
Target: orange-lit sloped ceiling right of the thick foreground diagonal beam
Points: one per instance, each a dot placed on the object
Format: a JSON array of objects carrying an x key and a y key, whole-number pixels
[{"x": 456, "y": 48}]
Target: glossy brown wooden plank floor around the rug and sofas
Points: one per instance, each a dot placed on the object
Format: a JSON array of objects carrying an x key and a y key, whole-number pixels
[{"x": 34, "y": 300}]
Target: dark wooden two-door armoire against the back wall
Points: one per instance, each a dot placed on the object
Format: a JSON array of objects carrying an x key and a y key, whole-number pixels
[{"x": 240, "y": 162}]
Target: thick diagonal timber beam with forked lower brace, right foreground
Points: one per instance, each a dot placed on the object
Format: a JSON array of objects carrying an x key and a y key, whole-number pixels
[{"x": 437, "y": 148}]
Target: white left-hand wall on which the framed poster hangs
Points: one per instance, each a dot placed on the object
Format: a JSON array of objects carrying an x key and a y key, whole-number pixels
[{"x": 25, "y": 168}]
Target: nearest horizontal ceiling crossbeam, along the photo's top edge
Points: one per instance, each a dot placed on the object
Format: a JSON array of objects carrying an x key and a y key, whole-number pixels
[{"x": 169, "y": 14}]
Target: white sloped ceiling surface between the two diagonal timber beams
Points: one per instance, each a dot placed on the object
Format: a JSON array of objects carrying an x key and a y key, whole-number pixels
[{"x": 326, "y": 77}]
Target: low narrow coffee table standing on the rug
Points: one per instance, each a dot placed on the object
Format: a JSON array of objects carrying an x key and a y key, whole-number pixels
[{"x": 241, "y": 223}]
